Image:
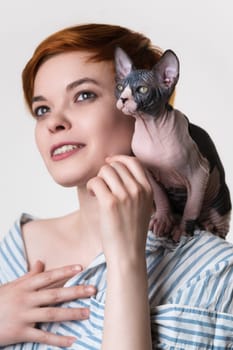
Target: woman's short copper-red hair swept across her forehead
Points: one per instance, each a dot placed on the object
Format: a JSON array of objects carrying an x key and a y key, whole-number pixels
[{"x": 99, "y": 39}]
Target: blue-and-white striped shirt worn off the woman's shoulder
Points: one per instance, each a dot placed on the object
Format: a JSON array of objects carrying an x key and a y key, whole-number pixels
[{"x": 190, "y": 292}]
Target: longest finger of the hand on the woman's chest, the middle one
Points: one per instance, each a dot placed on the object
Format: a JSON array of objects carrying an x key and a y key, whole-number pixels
[{"x": 60, "y": 295}]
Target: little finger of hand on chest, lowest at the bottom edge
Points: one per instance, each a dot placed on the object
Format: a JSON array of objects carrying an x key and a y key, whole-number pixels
[{"x": 39, "y": 336}]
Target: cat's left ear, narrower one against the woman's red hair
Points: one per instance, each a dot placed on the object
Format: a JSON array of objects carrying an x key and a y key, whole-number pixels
[{"x": 123, "y": 64}]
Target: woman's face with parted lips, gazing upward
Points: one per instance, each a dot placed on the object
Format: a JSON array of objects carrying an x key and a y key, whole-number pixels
[{"x": 77, "y": 122}]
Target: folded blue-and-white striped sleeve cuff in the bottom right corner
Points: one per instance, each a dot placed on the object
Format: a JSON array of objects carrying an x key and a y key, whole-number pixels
[{"x": 181, "y": 327}]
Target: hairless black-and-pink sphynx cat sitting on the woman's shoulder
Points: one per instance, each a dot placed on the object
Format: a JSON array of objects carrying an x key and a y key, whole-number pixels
[{"x": 185, "y": 170}]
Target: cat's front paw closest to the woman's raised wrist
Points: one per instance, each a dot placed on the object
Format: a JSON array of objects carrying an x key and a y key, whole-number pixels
[{"x": 161, "y": 224}]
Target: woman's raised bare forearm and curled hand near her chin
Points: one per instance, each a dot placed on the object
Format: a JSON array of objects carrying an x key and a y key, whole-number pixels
[{"x": 125, "y": 204}]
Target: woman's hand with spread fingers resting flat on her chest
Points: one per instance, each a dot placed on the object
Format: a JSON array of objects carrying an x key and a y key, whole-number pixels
[{"x": 29, "y": 299}]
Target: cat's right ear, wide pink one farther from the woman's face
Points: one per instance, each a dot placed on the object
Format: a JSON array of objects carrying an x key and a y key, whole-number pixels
[{"x": 167, "y": 70}]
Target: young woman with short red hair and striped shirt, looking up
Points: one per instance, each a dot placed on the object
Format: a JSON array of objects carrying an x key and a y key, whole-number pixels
[{"x": 143, "y": 293}]
